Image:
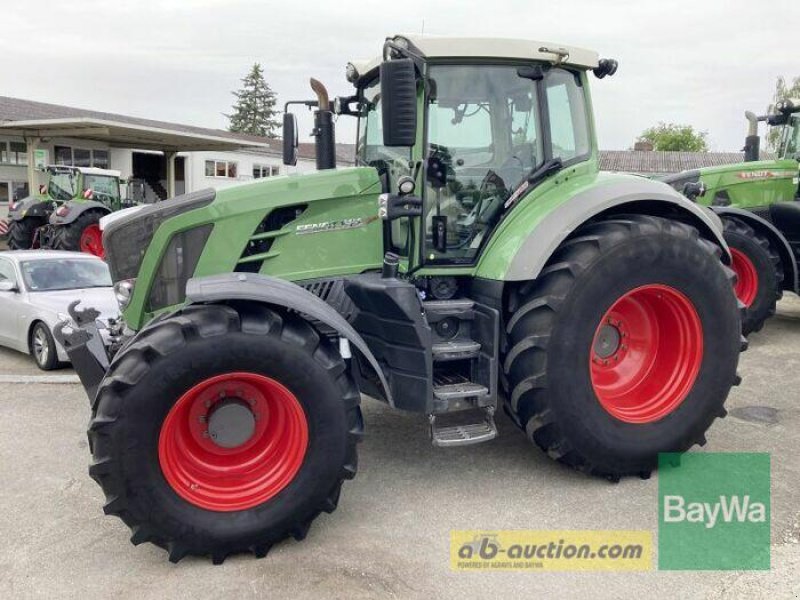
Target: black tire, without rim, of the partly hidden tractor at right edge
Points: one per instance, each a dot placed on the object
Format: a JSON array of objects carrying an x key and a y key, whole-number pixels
[{"x": 765, "y": 260}]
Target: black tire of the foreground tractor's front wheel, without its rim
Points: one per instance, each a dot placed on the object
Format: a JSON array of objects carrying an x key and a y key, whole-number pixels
[{"x": 169, "y": 357}]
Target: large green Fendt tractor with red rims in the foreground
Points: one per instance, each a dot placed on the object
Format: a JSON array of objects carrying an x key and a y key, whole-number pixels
[{"x": 474, "y": 258}]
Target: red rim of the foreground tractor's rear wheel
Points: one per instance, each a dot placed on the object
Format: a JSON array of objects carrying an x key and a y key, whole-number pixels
[{"x": 646, "y": 354}]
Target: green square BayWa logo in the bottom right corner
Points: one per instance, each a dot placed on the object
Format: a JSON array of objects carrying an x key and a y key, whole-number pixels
[{"x": 714, "y": 511}]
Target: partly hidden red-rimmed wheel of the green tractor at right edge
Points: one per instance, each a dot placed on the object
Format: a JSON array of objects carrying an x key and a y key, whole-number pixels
[{"x": 759, "y": 273}]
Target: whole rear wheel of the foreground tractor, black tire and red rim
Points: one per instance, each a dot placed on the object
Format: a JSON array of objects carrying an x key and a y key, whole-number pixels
[{"x": 626, "y": 346}]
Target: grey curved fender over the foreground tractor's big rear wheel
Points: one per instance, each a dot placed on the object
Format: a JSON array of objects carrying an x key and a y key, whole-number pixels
[{"x": 606, "y": 193}]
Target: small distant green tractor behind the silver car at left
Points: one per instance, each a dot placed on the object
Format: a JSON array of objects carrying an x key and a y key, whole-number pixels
[{"x": 67, "y": 212}]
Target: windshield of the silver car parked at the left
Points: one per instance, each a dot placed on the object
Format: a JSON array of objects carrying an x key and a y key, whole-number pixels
[{"x": 64, "y": 274}]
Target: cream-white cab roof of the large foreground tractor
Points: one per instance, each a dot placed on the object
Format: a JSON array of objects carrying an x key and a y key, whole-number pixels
[{"x": 500, "y": 48}]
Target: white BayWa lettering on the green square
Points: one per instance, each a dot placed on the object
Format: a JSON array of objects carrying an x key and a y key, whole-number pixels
[{"x": 729, "y": 509}]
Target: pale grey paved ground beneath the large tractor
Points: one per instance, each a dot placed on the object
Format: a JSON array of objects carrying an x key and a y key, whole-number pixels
[{"x": 390, "y": 536}]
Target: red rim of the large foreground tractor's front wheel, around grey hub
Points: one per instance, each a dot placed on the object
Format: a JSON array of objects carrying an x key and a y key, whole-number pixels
[{"x": 226, "y": 479}]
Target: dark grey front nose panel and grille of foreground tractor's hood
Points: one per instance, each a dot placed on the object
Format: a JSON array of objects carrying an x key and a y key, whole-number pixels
[{"x": 126, "y": 240}]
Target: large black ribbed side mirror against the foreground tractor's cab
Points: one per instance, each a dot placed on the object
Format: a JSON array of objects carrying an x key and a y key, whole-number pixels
[{"x": 399, "y": 102}]
